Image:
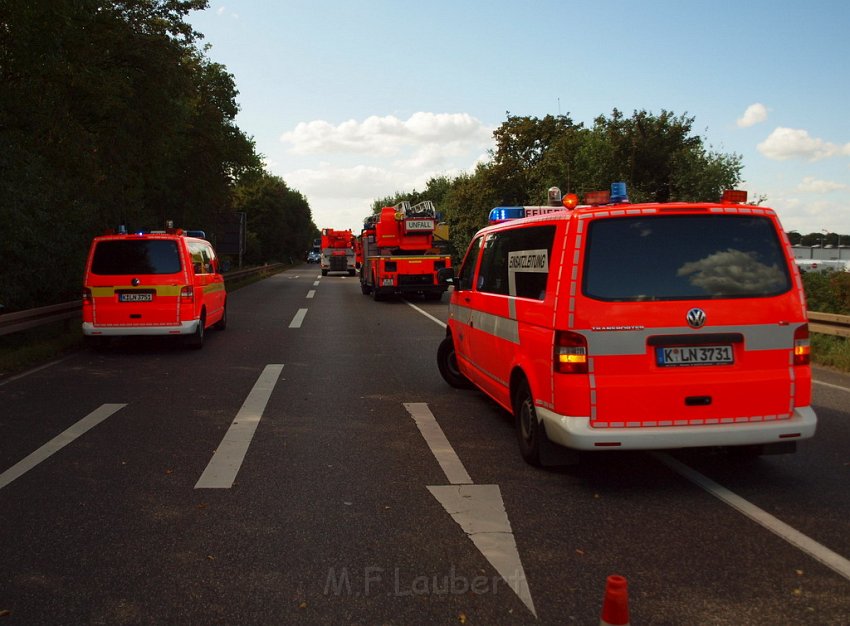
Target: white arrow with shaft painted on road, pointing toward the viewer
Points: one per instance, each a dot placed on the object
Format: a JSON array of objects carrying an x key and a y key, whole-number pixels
[{"x": 478, "y": 509}]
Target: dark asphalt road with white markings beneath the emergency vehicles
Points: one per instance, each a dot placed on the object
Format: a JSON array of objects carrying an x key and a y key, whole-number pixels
[{"x": 309, "y": 465}]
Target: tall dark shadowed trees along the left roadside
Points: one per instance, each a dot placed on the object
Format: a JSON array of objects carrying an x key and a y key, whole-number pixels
[{"x": 111, "y": 113}]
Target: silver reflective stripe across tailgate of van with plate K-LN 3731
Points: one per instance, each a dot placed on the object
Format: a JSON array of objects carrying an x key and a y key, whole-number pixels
[{"x": 623, "y": 341}]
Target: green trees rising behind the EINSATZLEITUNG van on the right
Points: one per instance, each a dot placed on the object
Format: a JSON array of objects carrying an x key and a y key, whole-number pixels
[{"x": 658, "y": 156}]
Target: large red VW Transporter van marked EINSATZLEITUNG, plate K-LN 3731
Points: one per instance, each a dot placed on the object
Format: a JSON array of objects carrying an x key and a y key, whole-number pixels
[{"x": 617, "y": 326}]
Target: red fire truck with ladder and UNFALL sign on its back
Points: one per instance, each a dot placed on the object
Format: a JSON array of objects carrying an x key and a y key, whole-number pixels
[{"x": 398, "y": 252}]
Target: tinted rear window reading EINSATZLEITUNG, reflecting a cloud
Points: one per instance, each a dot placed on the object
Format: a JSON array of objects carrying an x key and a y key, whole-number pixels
[{"x": 684, "y": 257}]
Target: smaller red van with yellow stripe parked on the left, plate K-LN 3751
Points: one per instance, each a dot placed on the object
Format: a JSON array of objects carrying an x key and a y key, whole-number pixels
[{"x": 157, "y": 283}]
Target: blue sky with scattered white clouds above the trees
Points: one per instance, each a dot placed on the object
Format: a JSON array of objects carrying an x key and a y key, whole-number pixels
[{"x": 352, "y": 101}]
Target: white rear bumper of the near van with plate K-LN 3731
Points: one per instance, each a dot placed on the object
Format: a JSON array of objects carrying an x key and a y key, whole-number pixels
[{"x": 576, "y": 433}]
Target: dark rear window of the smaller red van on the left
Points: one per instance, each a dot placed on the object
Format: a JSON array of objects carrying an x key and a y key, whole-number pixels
[{"x": 142, "y": 256}]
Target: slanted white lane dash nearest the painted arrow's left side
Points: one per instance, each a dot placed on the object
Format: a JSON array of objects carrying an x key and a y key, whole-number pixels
[{"x": 222, "y": 469}]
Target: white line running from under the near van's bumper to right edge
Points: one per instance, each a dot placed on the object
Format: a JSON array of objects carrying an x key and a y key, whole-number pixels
[{"x": 834, "y": 561}]
